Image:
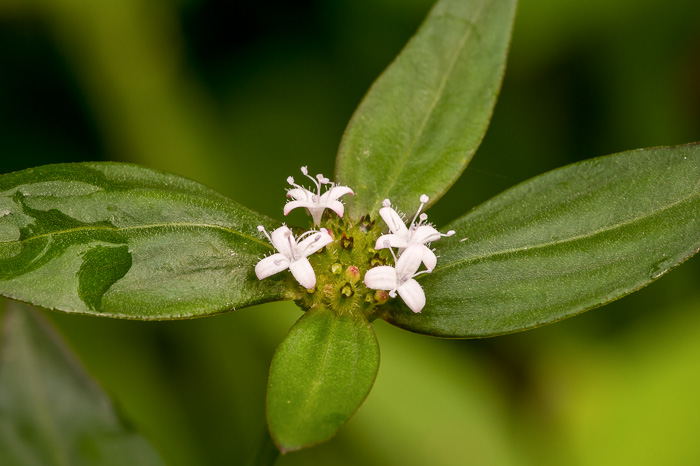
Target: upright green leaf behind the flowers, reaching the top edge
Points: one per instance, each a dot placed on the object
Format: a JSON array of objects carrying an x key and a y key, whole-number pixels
[{"x": 423, "y": 119}]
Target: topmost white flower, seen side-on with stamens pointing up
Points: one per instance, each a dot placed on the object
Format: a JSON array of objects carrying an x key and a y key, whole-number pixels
[{"x": 316, "y": 202}]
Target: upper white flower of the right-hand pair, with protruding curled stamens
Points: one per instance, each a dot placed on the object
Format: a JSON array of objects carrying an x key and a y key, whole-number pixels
[{"x": 402, "y": 237}]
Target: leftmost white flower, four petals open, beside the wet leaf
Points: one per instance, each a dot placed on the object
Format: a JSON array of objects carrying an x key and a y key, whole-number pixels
[{"x": 292, "y": 254}]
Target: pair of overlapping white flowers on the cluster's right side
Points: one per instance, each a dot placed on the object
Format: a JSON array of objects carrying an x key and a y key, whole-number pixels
[{"x": 412, "y": 243}]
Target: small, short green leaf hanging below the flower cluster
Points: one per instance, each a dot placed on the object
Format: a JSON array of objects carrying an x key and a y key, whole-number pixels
[{"x": 320, "y": 375}]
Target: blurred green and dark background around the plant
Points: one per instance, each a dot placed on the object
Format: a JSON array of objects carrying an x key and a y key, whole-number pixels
[{"x": 239, "y": 94}]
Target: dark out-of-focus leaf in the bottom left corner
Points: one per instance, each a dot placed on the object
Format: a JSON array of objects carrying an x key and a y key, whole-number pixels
[{"x": 51, "y": 412}]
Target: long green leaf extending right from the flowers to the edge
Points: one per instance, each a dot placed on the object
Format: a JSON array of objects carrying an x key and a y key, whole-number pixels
[{"x": 562, "y": 243}]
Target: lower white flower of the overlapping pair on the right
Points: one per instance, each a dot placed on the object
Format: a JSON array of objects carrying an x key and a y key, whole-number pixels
[{"x": 401, "y": 278}]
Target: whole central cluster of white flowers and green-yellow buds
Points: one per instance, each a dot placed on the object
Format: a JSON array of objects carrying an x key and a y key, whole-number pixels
[{"x": 412, "y": 244}]
